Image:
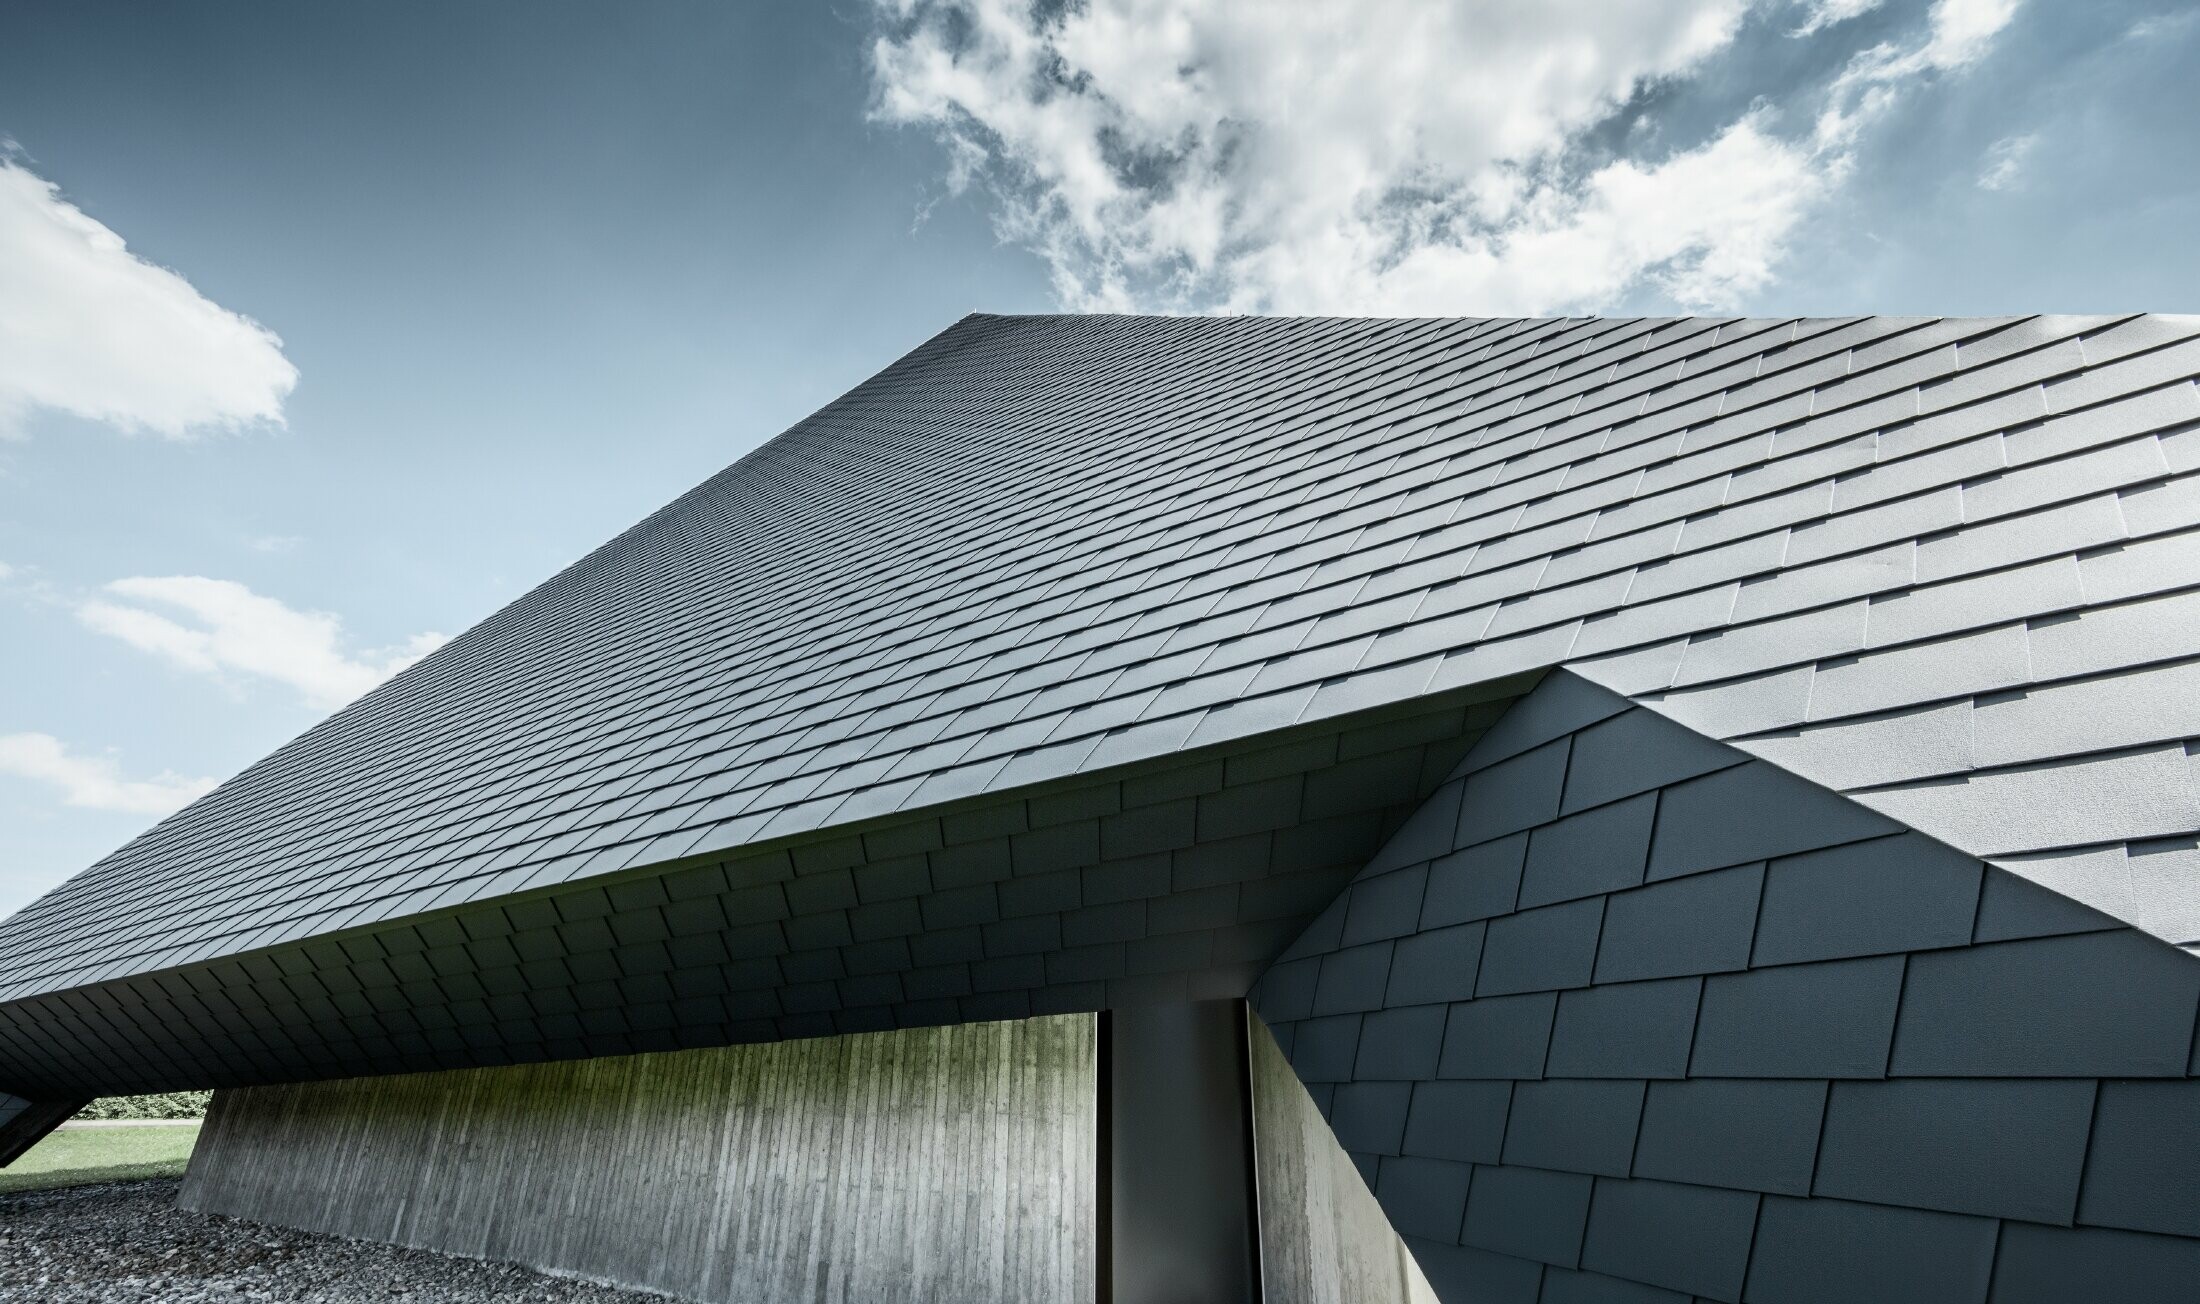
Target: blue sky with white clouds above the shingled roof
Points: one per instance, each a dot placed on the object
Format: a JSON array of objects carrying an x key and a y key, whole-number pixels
[{"x": 327, "y": 331}]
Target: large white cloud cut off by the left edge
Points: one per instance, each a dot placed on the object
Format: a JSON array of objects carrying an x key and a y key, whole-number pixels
[{"x": 93, "y": 331}]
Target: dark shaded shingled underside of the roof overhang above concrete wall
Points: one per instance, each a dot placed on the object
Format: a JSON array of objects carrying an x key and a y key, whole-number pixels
[{"x": 1171, "y": 881}]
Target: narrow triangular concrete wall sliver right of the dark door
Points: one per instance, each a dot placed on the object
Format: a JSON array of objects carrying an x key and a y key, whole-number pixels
[{"x": 1323, "y": 1237}]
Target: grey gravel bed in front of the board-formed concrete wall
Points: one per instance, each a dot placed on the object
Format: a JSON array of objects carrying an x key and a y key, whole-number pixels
[{"x": 126, "y": 1241}]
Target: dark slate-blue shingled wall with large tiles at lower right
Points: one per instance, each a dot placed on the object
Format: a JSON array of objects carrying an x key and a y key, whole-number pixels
[{"x": 1754, "y": 1046}]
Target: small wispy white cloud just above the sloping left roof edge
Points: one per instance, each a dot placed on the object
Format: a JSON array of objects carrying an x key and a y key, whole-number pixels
[{"x": 230, "y": 630}]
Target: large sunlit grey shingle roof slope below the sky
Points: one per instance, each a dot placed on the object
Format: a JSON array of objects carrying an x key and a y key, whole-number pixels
[{"x": 1948, "y": 566}]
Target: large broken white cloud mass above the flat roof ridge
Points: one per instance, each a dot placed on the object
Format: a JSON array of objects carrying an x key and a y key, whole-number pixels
[{"x": 1387, "y": 155}]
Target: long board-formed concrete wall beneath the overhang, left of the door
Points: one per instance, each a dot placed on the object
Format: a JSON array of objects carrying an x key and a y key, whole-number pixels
[{"x": 932, "y": 1164}]
